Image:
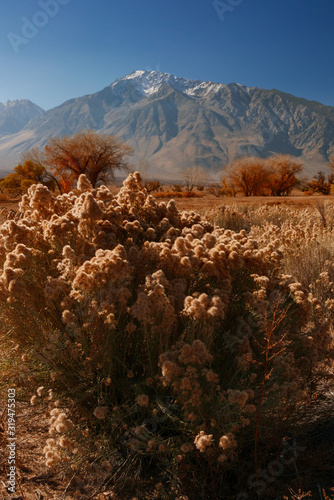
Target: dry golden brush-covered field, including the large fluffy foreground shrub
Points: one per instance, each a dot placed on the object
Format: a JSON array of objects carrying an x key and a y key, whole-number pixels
[{"x": 166, "y": 350}]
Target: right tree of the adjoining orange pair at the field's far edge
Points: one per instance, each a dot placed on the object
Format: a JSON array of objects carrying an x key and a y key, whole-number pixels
[{"x": 282, "y": 171}]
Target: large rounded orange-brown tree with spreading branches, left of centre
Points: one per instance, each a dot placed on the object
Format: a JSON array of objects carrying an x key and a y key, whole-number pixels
[{"x": 87, "y": 152}]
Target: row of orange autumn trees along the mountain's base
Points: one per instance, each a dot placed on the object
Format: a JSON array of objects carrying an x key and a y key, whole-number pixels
[{"x": 98, "y": 156}]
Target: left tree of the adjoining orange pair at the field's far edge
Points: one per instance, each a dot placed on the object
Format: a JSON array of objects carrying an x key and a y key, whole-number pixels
[{"x": 249, "y": 175}]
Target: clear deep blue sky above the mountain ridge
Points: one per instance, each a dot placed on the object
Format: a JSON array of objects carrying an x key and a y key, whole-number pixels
[{"x": 81, "y": 46}]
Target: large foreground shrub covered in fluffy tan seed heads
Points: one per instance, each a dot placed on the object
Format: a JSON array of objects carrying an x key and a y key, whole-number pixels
[{"x": 177, "y": 349}]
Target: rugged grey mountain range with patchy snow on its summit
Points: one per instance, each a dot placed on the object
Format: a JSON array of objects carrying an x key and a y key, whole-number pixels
[{"x": 175, "y": 122}]
